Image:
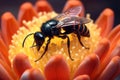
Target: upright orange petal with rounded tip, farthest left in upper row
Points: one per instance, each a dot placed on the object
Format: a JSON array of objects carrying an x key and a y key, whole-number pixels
[{"x": 9, "y": 26}]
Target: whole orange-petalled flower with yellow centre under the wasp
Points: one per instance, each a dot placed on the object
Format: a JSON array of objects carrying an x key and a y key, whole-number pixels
[{"x": 101, "y": 62}]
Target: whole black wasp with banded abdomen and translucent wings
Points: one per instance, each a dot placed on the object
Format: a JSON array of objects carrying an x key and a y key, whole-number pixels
[{"x": 69, "y": 21}]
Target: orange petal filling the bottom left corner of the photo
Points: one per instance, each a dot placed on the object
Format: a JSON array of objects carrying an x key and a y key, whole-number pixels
[{"x": 6, "y": 72}]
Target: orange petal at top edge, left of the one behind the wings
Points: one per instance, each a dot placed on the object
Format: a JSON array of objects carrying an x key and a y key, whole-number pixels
[{"x": 43, "y": 5}]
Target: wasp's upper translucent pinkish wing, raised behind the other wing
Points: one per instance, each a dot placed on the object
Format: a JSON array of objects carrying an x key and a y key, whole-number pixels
[{"x": 70, "y": 12}]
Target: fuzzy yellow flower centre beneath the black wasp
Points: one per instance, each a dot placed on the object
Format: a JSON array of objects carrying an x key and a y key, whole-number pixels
[{"x": 57, "y": 45}]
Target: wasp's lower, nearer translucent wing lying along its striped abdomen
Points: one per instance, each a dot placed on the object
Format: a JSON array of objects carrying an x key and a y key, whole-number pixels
[{"x": 73, "y": 20}]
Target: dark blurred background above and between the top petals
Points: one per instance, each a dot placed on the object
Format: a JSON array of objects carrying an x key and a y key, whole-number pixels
[{"x": 94, "y": 7}]
